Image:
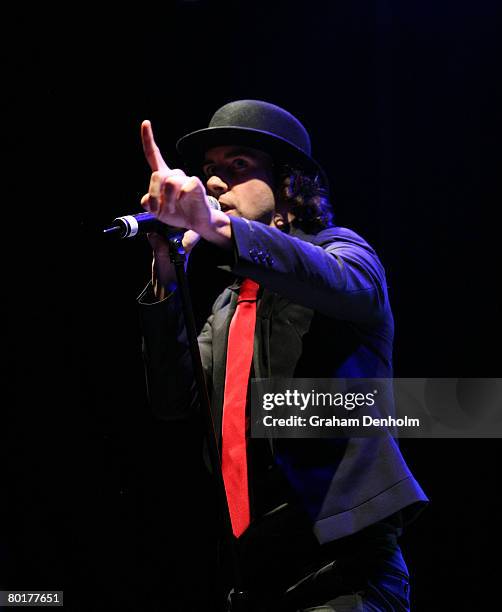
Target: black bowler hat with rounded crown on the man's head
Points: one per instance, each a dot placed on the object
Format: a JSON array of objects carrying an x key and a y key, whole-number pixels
[{"x": 256, "y": 124}]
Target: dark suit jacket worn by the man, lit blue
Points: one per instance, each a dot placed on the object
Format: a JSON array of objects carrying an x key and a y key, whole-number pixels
[{"x": 324, "y": 312}]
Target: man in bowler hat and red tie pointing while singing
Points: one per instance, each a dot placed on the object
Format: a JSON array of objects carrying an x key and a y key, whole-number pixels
[{"x": 317, "y": 521}]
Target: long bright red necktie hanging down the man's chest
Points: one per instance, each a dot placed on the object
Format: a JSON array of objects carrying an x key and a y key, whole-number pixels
[{"x": 239, "y": 357}]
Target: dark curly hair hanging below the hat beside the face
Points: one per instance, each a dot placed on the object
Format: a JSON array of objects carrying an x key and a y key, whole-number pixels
[{"x": 307, "y": 198}]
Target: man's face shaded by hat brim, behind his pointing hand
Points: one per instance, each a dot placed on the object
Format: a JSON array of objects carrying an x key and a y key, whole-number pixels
[{"x": 242, "y": 180}]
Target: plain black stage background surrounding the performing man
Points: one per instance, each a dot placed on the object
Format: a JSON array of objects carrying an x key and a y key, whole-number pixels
[{"x": 402, "y": 100}]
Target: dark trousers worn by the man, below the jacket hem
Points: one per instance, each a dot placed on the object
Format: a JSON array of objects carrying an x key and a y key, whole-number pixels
[{"x": 285, "y": 569}]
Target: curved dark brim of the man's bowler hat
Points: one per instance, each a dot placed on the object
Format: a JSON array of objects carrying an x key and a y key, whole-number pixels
[{"x": 193, "y": 146}]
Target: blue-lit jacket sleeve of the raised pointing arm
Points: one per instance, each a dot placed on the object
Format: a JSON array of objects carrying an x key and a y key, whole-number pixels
[{"x": 337, "y": 273}]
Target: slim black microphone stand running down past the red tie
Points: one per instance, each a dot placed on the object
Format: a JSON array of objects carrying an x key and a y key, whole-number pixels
[{"x": 238, "y": 597}]
